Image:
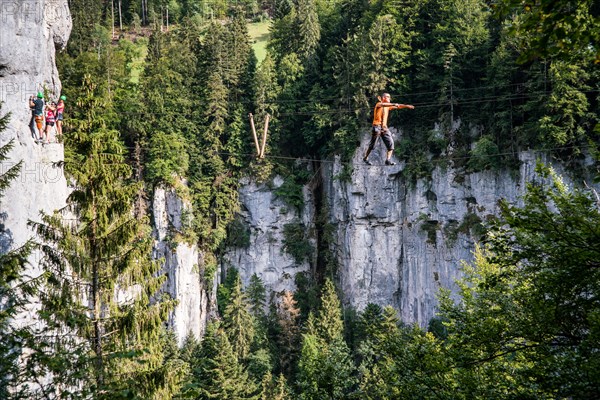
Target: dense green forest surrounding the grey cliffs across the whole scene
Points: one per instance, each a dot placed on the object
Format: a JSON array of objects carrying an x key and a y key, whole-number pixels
[{"x": 159, "y": 93}]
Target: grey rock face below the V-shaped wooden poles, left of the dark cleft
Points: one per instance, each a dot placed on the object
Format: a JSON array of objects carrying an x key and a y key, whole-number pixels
[{"x": 266, "y": 215}]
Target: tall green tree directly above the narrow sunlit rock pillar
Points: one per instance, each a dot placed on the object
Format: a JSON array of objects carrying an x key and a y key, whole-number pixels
[{"x": 166, "y": 85}]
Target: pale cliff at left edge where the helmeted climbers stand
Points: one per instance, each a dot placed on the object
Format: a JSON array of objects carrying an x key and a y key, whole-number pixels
[{"x": 30, "y": 33}]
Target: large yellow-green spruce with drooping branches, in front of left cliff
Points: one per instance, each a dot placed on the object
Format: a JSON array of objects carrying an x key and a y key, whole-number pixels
[{"x": 102, "y": 300}]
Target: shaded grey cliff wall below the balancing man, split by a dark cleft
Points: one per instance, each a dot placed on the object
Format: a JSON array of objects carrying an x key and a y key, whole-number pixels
[{"x": 396, "y": 242}]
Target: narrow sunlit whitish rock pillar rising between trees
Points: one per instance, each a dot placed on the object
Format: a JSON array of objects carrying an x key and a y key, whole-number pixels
[{"x": 181, "y": 266}]
